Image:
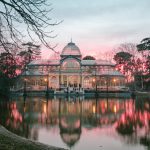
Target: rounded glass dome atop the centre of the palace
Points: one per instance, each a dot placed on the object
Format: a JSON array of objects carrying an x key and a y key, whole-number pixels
[{"x": 71, "y": 49}]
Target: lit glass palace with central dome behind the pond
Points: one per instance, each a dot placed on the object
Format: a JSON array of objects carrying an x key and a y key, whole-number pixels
[{"x": 73, "y": 73}]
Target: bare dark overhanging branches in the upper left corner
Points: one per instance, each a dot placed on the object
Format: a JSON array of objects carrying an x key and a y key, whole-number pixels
[{"x": 33, "y": 14}]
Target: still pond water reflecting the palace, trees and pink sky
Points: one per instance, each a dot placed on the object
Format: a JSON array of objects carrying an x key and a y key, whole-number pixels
[{"x": 80, "y": 124}]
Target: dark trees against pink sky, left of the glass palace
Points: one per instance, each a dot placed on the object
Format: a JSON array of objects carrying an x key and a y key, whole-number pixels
[{"x": 13, "y": 60}]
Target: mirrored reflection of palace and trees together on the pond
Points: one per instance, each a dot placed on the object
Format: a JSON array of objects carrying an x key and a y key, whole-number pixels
[{"x": 72, "y": 116}]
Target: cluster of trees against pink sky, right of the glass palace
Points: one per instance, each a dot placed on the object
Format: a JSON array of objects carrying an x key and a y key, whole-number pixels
[{"x": 134, "y": 62}]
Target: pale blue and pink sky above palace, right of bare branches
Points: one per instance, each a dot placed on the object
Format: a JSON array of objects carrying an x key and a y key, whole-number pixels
[{"x": 99, "y": 26}]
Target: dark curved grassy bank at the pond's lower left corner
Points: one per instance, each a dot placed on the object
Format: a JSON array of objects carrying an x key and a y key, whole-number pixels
[{"x": 10, "y": 141}]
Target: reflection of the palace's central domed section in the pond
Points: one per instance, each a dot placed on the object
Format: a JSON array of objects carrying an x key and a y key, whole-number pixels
[{"x": 70, "y": 122}]
